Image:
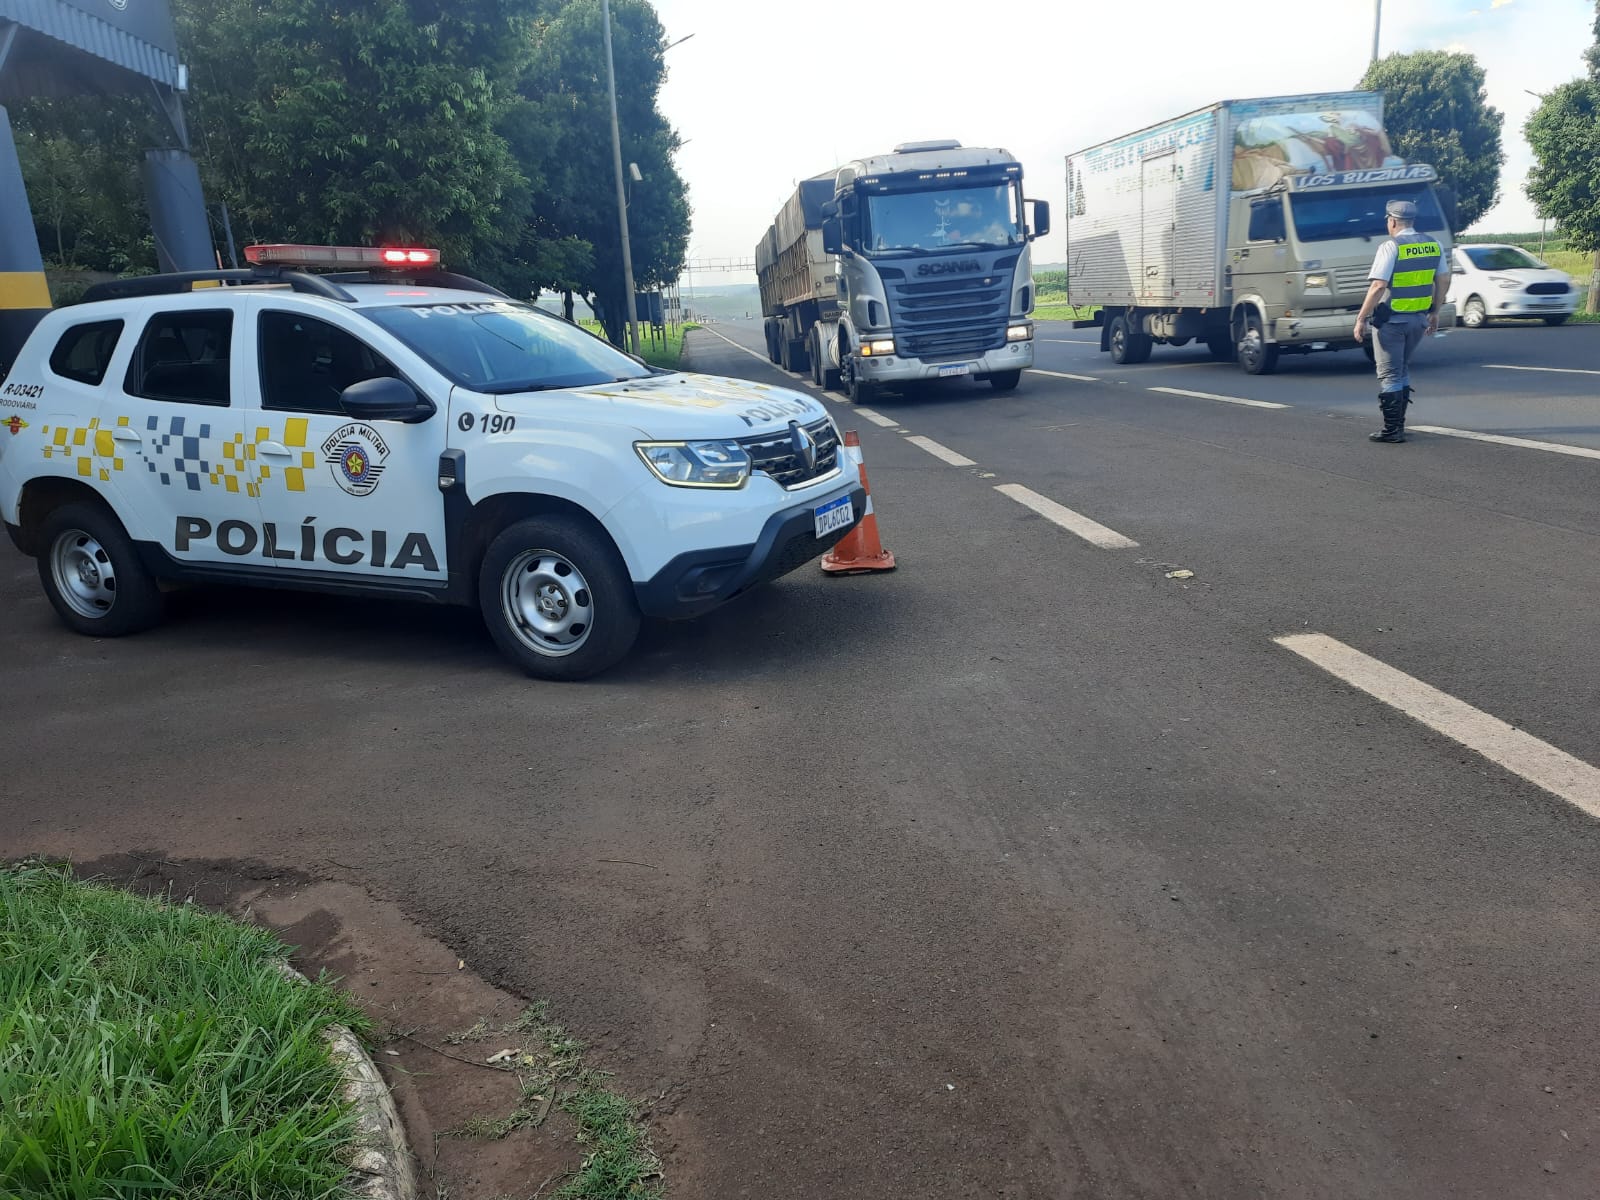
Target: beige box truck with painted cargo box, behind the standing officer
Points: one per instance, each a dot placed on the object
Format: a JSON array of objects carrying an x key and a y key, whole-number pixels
[{"x": 1249, "y": 226}]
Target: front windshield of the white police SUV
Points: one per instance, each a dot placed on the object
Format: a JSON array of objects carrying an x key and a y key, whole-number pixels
[{"x": 500, "y": 346}]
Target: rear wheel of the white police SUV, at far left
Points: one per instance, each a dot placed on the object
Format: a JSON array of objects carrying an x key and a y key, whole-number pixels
[{"x": 94, "y": 575}]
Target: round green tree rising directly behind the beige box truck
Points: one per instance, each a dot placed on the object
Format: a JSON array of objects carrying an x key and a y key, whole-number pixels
[{"x": 1436, "y": 113}]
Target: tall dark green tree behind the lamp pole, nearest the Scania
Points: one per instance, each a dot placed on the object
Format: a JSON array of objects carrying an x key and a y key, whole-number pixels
[{"x": 566, "y": 90}]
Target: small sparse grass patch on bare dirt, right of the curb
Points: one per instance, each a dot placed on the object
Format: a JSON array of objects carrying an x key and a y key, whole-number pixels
[{"x": 550, "y": 1068}]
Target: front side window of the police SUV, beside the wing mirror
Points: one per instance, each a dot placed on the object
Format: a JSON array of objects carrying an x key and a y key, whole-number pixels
[{"x": 306, "y": 364}]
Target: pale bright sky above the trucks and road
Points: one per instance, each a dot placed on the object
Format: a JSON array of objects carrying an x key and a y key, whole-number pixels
[{"x": 767, "y": 94}]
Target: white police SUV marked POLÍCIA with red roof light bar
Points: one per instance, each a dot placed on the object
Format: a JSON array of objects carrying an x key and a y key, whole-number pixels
[{"x": 388, "y": 428}]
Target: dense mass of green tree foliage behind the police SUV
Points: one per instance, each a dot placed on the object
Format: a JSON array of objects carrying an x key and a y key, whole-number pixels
[{"x": 476, "y": 126}]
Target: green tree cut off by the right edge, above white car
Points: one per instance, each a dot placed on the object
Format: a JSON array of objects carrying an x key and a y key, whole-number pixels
[{"x": 1566, "y": 180}]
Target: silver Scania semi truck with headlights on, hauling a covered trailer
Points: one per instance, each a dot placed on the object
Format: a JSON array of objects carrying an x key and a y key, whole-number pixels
[{"x": 902, "y": 268}]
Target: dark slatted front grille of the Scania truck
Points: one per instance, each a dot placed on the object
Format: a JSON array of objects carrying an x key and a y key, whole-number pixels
[{"x": 950, "y": 318}]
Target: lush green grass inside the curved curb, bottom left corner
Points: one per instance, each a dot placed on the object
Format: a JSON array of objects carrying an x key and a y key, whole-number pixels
[{"x": 156, "y": 1049}]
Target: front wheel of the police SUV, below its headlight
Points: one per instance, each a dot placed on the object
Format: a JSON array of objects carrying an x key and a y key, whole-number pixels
[{"x": 538, "y": 580}]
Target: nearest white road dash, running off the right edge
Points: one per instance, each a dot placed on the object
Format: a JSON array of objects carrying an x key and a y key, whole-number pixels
[{"x": 1538, "y": 762}]
